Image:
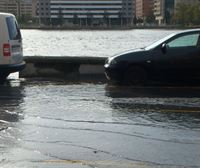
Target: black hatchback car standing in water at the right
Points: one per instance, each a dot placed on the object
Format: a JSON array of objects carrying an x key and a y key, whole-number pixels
[{"x": 175, "y": 58}]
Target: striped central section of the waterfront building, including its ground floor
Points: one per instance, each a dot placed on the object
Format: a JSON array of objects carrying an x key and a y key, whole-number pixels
[{"x": 85, "y": 11}]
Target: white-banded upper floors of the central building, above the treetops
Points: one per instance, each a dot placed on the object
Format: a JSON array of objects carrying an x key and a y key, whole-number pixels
[{"x": 83, "y": 8}]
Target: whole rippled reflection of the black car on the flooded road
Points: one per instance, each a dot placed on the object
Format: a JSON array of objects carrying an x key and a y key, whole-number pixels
[{"x": 171, "y": 107}]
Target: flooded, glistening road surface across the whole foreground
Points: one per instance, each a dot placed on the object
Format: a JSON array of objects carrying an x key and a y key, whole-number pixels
[{"x": 56, "y": 123}]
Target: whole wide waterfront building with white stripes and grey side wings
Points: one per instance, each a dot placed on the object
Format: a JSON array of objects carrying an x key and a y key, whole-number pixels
[{"x": 53, "y": 11}]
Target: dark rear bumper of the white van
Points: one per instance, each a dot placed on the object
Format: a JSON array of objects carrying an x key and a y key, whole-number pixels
[{"x": 7, "y": 69}]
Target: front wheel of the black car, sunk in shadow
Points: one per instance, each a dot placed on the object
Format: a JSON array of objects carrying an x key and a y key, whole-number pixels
[{"x": 135, "y": 75}]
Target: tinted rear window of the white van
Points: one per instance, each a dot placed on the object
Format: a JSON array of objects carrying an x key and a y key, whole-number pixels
[{"x": 13, "y": 29}]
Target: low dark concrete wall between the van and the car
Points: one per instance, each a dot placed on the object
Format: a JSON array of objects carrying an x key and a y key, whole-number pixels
[{"x": 64, "y": 67}]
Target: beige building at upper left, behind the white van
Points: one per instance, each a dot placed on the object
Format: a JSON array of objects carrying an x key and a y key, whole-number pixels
[{"x": 19, "y": 7}]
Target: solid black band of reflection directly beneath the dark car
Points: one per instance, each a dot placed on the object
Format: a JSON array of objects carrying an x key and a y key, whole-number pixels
[{"x": 157, "y": 92}]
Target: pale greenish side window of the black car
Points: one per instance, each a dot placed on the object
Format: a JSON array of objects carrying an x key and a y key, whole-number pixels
[{"x": 190, "y": 40}]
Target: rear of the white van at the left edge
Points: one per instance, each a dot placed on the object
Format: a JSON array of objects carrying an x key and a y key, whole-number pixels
[{"x": 11, "y": 54}]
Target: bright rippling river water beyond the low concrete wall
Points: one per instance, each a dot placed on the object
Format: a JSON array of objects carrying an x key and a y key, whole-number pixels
[{"x": 98, "y": 43}]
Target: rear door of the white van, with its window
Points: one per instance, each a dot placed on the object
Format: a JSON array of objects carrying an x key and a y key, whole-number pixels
[{"x": 15, "y": 41}]
